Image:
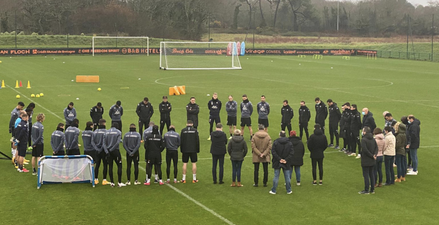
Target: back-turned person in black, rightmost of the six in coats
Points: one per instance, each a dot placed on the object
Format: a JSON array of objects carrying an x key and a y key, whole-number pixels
[{"x": 317, "y": 144}]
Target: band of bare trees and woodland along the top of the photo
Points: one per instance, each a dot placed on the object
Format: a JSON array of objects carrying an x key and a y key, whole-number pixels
[{"x": 190, "y": 19}]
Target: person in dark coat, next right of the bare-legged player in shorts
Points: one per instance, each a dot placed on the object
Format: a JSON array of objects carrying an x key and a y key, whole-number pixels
[{"x": 218, "y": 151}]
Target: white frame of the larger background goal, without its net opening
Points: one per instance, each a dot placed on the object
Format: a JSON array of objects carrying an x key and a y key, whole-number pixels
[{"x": 235, "y": 53}]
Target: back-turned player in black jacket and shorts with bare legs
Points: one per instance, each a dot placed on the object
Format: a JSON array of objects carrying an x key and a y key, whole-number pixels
[{"x": 190, "y": 147}]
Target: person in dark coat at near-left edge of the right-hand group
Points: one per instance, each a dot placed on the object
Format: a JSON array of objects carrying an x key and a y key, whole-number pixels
[{"x": 370, "y": 151}]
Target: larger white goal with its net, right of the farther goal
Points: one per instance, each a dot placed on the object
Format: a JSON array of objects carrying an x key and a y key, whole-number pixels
[{"x": 199, "y": 55}]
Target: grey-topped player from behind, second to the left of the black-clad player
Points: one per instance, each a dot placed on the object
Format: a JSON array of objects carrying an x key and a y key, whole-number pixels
[{"x": 111, "y": 147}]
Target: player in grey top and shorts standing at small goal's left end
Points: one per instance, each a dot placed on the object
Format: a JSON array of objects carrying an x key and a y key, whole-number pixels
[{"x": 37, "y": 141}]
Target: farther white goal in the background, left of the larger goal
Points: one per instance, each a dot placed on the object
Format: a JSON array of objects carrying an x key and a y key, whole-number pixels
[{"x": 129, "y": 45}]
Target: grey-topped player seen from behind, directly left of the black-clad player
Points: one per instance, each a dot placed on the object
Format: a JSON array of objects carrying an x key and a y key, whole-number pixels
[{"x": 131, "y": 143}]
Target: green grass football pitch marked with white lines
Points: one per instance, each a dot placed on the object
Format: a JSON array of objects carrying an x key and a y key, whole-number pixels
[{"x": 399, "y": 86}]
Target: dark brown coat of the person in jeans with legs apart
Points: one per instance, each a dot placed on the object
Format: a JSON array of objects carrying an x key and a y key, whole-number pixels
[{"x": 282, "y": 149}]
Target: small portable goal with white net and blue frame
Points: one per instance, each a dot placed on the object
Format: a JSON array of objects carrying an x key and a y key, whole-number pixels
[{"x": 65, "y": 169}]
